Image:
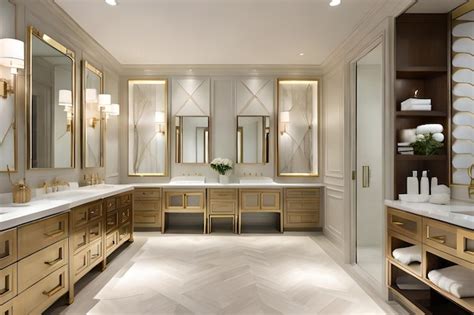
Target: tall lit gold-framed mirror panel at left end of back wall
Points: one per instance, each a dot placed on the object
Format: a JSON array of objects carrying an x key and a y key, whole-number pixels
[{"x": 147, "y": 127}]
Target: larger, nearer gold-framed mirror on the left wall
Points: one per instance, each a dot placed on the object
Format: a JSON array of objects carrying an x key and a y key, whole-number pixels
[{"x": 50, "y": 102}]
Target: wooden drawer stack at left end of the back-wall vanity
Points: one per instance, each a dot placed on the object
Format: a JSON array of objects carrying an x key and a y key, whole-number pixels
[{"x": 147, "y": 208}]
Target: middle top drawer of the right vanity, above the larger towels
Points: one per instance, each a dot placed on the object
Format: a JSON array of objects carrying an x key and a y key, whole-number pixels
[{"x": 440, "y": 235}]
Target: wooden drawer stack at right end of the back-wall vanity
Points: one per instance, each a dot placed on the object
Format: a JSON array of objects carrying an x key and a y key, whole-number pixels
[{"x": 302, "y": 208}]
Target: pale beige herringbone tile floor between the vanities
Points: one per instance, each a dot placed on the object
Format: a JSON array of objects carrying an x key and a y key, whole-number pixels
[{"x": 209, "y": 274}]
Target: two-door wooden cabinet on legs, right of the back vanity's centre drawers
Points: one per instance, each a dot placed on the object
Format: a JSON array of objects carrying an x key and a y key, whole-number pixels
[{"x": 260, "y": 200}]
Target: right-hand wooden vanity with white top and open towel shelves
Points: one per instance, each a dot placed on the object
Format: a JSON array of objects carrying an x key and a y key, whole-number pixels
[{"x": 444, "y": 236}]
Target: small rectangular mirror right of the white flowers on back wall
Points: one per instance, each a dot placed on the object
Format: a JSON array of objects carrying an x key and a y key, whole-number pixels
[{"x": 253, "y": 133}]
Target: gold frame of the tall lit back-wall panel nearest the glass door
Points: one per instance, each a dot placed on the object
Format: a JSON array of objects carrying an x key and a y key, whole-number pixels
[{"x": 279, "y": 130}]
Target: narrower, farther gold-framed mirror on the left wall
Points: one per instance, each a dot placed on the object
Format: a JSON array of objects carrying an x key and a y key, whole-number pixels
[{"x": 92, "y": 120}]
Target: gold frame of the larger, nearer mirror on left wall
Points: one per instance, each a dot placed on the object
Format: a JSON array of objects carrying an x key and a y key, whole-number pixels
[{"x": 33, "y": 32}]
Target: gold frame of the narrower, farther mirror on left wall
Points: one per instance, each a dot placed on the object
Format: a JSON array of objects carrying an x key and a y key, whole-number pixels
[{"x": 87, "y": 66}]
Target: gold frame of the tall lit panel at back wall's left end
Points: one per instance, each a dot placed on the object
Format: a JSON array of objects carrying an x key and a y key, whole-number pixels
[{"x": 131, "y": 126}]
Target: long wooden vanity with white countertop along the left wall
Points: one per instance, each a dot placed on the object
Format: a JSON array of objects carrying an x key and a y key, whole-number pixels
[{"x": 52, "y": 242}]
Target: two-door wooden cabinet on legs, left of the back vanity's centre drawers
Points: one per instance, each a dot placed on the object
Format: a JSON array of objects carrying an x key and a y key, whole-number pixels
[{"x": 183, "y": 201}]
